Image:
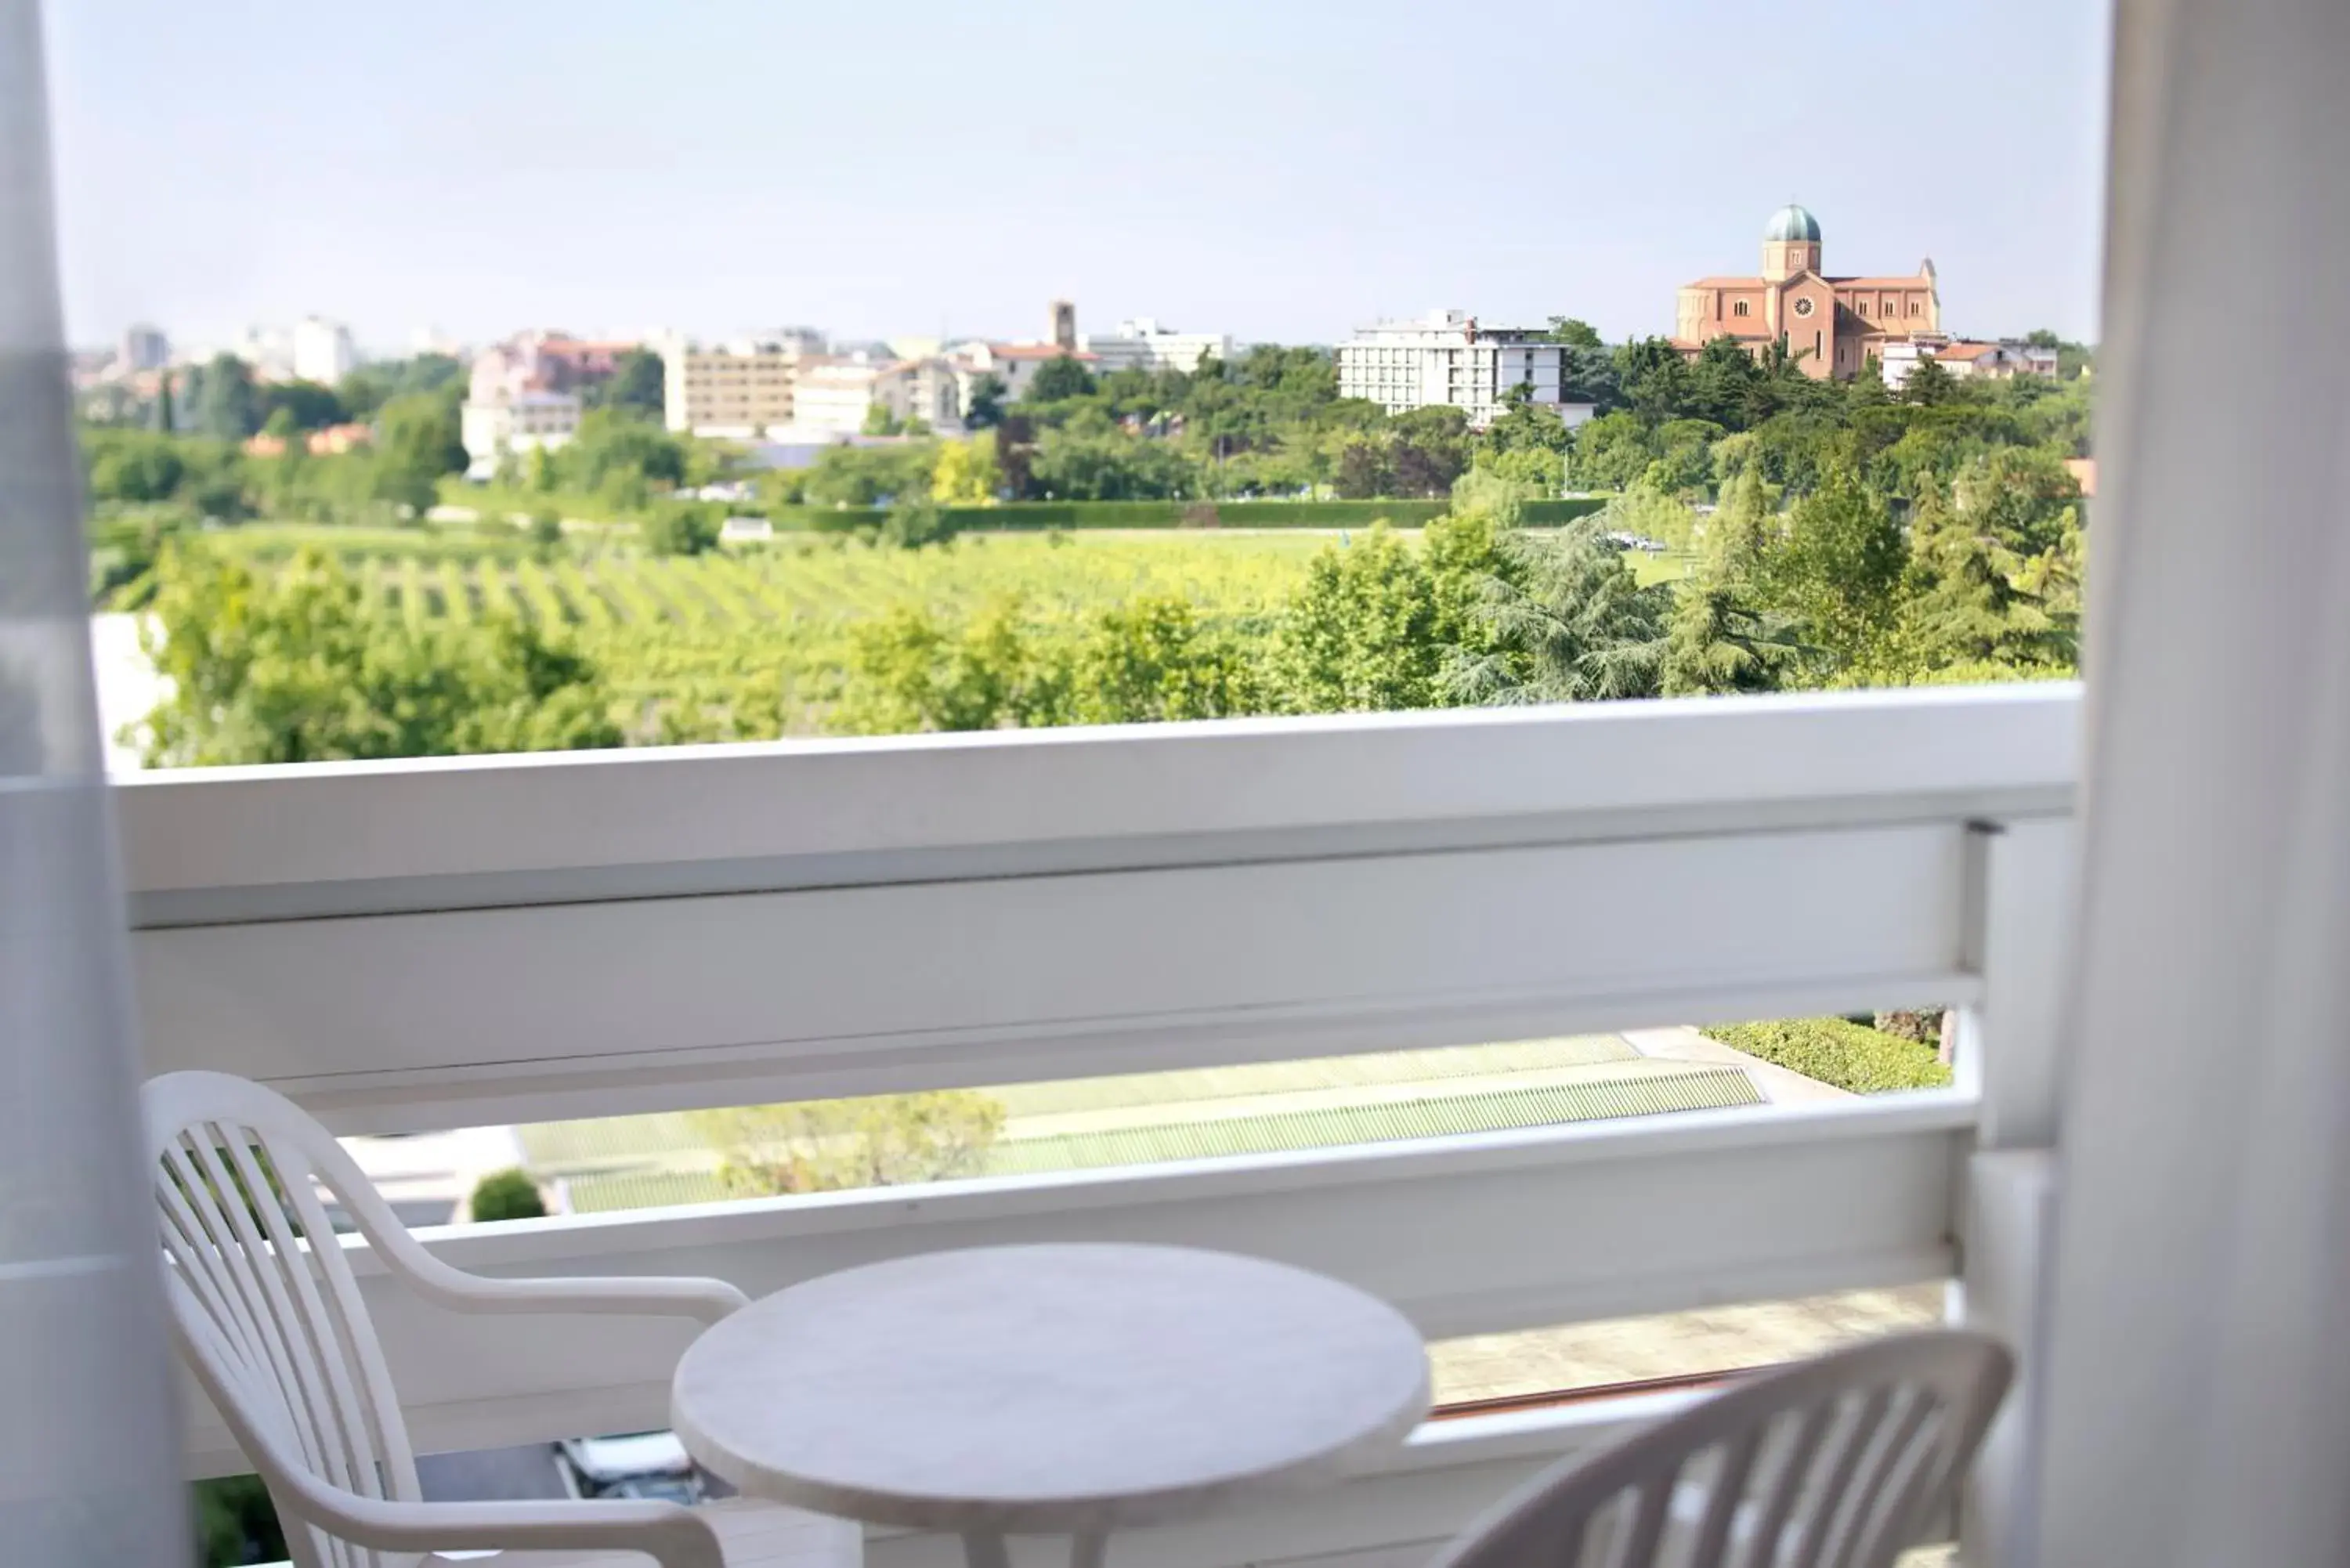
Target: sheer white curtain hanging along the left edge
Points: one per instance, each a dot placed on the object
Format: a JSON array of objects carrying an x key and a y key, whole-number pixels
[{"x": 88, "y": 1440}]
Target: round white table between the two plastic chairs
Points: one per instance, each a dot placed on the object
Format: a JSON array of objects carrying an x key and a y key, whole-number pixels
[{"x": 1042, "y": 1391}]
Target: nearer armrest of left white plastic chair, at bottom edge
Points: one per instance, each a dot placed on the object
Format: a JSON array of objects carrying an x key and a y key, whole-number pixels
[{"x": 669, "y": 1534}]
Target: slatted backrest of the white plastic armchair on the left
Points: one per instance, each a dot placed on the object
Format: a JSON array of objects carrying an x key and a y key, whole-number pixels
[{"x": 264, "y": 1301}]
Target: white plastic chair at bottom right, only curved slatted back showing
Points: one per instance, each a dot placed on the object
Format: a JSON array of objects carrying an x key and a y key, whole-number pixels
[{"x": 1832, "y": 1463}]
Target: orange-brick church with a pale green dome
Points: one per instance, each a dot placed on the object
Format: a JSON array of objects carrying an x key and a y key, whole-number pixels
[{"x": 1829, "y": 323}]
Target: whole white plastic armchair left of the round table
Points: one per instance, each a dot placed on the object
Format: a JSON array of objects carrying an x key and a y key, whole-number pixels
[{"x": 271, "y": 1322}]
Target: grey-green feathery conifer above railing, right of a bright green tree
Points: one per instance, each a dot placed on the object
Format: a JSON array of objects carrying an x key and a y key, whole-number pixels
[{"x": 1576, "y": 619}]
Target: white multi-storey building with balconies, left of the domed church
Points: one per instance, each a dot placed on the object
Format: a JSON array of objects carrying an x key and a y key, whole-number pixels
[{"x": 1446, "y": 359}]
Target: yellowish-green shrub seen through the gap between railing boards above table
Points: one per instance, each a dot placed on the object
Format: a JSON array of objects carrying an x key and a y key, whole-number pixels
[{"x": 831, "y": 1146}]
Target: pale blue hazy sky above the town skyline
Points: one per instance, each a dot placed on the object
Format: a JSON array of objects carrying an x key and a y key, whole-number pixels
[{"x": 1275, "y": 170}]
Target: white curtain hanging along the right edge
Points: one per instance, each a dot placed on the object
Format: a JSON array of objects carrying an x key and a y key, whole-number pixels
[{"x": 2198, "y": 1336}]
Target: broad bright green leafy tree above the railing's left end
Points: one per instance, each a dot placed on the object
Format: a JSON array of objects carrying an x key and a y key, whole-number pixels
[{"x": 300, "y": 666}]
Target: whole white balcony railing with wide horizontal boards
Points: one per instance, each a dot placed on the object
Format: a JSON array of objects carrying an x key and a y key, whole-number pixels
[{"x": 448, "y": 944}]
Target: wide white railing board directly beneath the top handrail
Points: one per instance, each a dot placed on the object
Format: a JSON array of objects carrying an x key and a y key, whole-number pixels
[{"x": 469, "y": 1017}]
